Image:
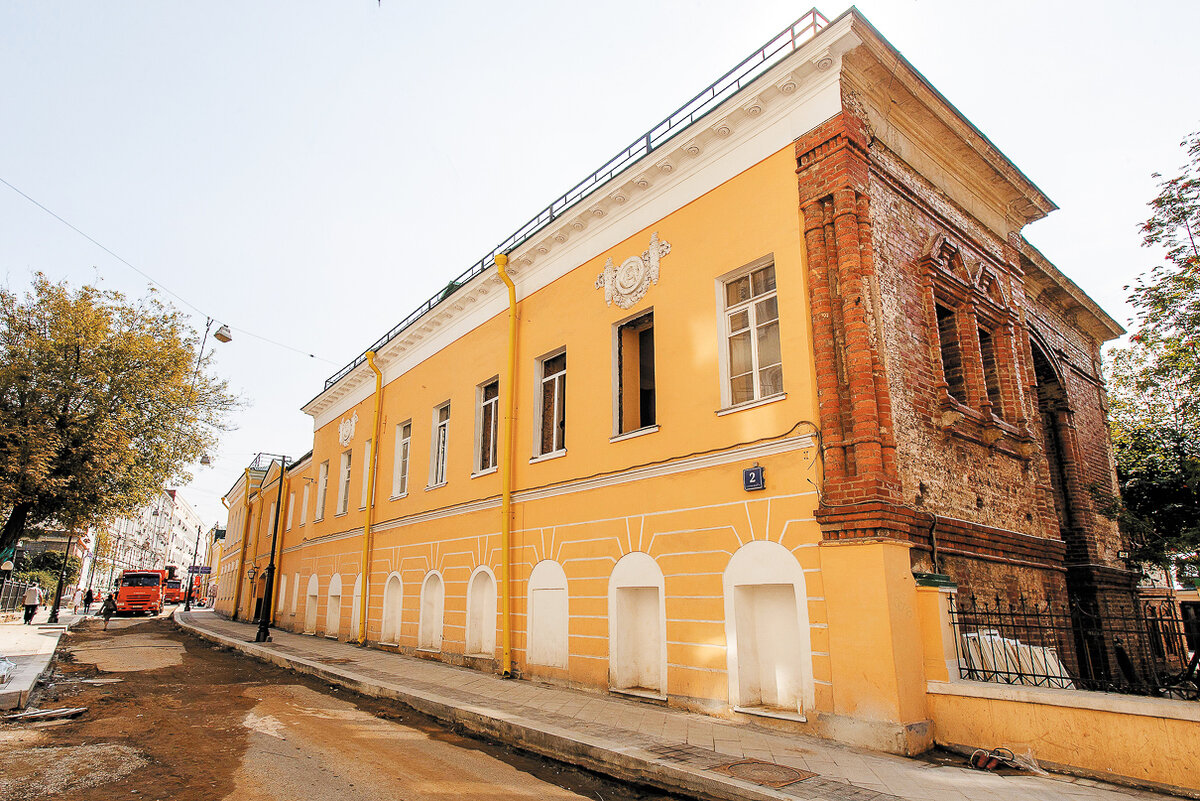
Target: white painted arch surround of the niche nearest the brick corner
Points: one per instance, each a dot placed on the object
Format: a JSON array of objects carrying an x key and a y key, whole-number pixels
[{"x": 767, "y": 563}]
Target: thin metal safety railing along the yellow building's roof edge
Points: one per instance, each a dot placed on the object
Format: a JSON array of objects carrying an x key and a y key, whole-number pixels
[{"x": 721, "y": 91}]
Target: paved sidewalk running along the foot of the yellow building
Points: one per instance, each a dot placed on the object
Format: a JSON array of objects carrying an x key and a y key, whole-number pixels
[{"x": 679, "y": 751}]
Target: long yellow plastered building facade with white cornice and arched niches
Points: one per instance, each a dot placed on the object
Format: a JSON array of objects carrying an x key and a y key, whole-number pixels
[{"x": 662, "y": 538}]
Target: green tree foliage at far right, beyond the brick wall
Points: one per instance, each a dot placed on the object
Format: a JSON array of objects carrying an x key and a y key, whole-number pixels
[{"x": 1155, "y": 387}]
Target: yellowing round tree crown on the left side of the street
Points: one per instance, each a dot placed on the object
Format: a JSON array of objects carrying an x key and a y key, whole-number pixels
[{"x": 103, "y": 402}]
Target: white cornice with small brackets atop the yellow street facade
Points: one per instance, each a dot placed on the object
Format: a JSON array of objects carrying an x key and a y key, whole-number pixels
[{"x": 785, "y": 103}]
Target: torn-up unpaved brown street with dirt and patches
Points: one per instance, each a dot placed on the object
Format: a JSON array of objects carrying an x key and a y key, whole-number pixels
[{"x": 173, "y": 718}]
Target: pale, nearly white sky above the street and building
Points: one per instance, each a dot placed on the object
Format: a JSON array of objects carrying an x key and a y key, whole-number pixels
[{"x": 309, "y": 173}]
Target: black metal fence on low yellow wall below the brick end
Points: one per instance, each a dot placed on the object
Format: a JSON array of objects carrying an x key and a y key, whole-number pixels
[{"x": 1138, "y": 649}]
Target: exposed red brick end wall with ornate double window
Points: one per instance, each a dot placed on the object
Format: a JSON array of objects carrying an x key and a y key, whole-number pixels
[{"x": 889, "y": 256}]
